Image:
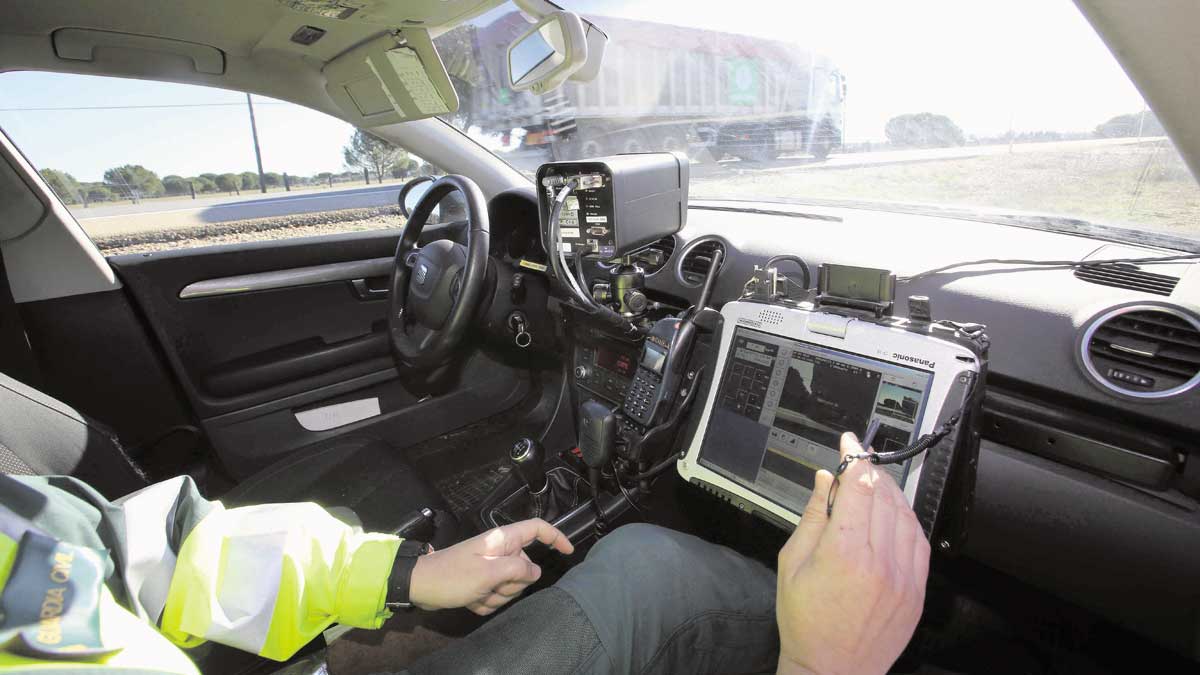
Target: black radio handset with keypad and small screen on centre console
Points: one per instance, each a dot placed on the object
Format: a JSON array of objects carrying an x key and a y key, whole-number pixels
[{"x": 665, "y": 355}]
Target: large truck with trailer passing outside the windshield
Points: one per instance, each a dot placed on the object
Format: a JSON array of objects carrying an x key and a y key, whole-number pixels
[{"x": 710, "y": 94}]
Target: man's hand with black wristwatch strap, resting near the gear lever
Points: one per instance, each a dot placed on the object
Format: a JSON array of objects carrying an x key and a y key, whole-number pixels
[{"x": 484, "y": 572}]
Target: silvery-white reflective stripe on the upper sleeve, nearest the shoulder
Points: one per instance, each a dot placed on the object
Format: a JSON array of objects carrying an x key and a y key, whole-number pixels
[{"x": 151, "y": 561}]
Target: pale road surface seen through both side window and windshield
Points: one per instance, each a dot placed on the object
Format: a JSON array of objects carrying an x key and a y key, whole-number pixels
[{"x": 163, "y": 214}]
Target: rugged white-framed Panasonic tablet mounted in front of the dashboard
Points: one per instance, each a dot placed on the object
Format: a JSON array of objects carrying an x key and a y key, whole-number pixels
[{"x": 794, "y": 379}]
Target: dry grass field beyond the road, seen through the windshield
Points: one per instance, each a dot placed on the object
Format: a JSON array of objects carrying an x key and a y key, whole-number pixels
[{"x": 1145, "y": 187}]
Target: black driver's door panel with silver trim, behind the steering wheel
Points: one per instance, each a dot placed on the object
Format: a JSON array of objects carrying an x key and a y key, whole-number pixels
[{"x": 260, "y": 332}]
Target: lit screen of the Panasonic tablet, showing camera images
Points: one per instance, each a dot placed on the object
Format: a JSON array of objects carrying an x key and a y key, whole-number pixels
[{"x": 784, "y": 404}]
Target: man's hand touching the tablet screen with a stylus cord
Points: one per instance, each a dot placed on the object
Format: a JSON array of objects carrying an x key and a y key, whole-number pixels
[{"x": 853, "y": 586}]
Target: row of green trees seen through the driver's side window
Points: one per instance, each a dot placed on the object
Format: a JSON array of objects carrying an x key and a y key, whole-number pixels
[{"x": 364, "y": 153}]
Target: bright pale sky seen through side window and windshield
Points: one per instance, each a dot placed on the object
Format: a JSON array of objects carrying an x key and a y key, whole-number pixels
[{"x": 1031, "y": 65}]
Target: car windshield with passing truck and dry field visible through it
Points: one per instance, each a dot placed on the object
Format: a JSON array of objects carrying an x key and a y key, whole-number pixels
[{"x": 1015, "y": 106}]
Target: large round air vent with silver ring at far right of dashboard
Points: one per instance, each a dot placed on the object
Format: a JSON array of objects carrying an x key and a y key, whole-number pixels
[{"x": 1144, "y": 351}]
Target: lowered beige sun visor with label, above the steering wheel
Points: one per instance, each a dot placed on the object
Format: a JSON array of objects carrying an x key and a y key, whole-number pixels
[{"x": 392, "y": 79}]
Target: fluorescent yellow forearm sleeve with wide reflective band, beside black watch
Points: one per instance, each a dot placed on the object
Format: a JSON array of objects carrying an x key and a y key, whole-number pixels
[{"x": 271, "y": 578}]
